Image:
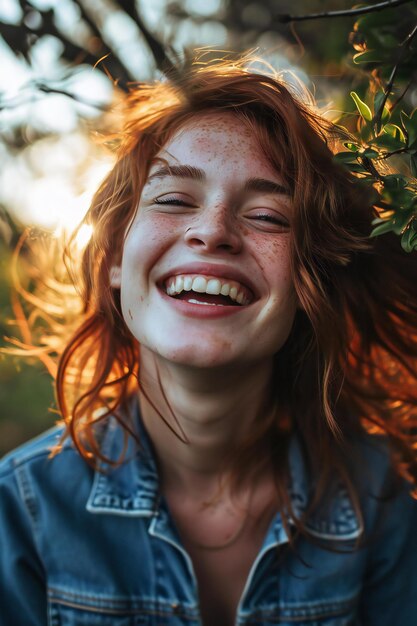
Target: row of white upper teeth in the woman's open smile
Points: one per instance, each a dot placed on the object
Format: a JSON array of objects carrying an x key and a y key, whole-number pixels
[{"x": 206, "y": 284}]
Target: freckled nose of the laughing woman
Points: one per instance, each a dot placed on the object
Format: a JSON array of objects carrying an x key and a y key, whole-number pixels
[{"x": 214, "y": 229}]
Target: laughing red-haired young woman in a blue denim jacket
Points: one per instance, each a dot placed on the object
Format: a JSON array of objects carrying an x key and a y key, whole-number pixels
[{"x": 239, "y": 397}]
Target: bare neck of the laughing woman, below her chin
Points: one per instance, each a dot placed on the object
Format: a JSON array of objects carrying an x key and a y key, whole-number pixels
[{"x": 197, "y": 418}]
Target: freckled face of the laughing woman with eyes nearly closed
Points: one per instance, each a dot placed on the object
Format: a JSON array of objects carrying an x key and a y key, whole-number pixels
[{"x": 205, "y": 277}]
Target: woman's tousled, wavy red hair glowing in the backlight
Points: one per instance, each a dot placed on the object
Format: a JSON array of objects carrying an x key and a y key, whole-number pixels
[{"x": 350, "y": 361}]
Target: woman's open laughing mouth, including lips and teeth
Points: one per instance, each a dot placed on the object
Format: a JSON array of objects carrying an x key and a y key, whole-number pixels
[{"x": 207, "y": 290}]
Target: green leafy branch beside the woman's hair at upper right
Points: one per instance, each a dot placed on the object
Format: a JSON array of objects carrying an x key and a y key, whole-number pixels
[{"x": 383, "y": 147}]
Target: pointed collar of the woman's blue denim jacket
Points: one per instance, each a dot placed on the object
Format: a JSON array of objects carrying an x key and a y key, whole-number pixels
[{"x": 132, "y": 489}]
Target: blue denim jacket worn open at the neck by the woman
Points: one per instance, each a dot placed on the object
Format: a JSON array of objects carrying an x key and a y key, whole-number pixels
[{"x": 85, "y": 548}]
